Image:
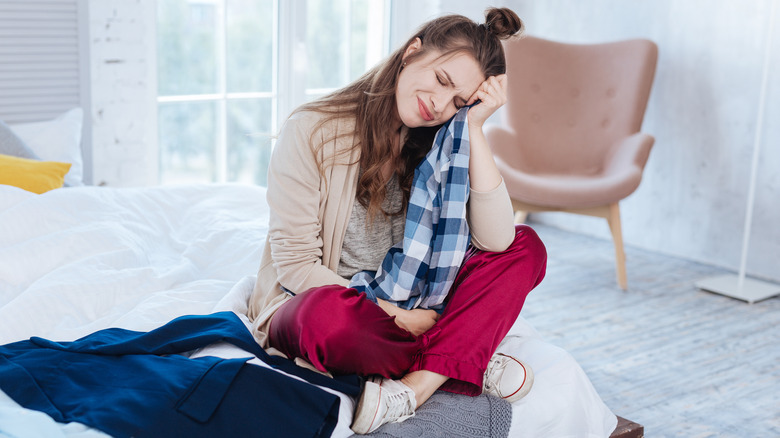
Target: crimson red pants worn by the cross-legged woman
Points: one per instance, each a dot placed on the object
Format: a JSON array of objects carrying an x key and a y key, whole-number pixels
[{"x": 338, "y": 330}]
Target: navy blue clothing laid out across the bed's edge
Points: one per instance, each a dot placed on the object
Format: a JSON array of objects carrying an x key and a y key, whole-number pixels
[{"x": 129, "y": 383}]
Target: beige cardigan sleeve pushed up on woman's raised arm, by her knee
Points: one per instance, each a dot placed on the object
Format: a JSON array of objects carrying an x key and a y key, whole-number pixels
[{"x": 491, "y": 219}]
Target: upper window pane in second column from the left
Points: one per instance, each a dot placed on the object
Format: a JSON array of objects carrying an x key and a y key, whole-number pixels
[{"x": 249, "y": 46}]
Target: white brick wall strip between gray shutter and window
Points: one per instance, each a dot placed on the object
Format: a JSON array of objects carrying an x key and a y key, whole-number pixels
[{"x": 123, "y": 91}]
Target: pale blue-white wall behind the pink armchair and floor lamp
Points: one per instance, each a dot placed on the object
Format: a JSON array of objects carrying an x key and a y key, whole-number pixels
[{"x": 702, "y": 112}]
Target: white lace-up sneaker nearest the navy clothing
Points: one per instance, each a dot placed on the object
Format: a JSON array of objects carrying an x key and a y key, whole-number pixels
[{"x": 383, "y": 401}]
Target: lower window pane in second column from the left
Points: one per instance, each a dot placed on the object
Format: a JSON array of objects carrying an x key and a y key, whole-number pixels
[{"x": 248, "y": 140}]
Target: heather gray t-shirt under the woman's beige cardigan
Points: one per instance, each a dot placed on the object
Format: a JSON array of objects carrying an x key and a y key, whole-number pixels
[{"x": 365, "y": 246}]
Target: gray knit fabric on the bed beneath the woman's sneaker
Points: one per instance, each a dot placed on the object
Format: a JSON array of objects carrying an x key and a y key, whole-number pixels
[{"x": 447, "y": 415}]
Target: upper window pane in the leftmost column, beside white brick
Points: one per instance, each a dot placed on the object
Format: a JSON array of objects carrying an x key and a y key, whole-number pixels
[{"x": 186, "y": 48}]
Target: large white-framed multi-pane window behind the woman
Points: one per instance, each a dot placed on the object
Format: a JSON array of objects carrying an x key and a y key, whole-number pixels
[{"x": 230, "y": 71}]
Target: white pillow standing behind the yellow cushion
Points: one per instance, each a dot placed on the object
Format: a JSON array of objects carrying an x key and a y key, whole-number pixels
[{"x": 57, "y": 140}]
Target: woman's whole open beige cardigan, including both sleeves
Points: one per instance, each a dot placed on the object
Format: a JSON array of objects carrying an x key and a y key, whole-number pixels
[{"x": 310, "y": 211}]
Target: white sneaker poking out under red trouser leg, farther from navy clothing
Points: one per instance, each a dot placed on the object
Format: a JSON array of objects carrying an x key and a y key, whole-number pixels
[{"x": 508, "y": 378}]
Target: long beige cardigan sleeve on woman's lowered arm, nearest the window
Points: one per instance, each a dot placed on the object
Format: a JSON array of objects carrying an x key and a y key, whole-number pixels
[{"x": 294, "y": 198}]
